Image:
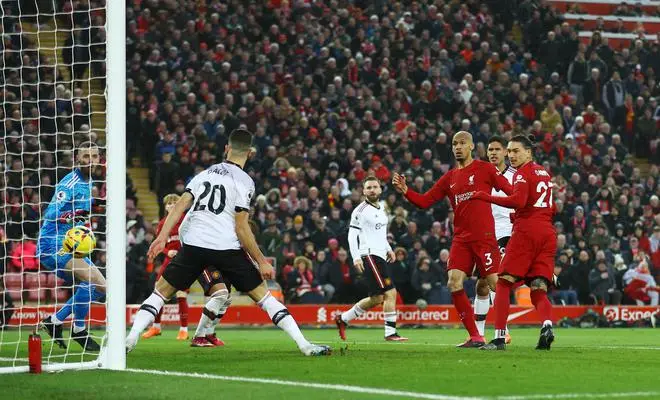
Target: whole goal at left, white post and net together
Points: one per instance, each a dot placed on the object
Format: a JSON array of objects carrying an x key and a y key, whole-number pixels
[{"x": 62, "y": 70}]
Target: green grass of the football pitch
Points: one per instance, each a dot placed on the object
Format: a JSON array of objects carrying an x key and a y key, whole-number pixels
[{"x": 603, "y": 361}]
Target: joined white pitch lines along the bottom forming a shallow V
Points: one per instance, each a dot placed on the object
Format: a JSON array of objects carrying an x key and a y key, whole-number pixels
[{"x": 388, "y": 392}]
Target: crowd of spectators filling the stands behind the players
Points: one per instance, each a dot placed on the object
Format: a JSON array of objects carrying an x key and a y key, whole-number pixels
[{"x": 336, "y": 90}]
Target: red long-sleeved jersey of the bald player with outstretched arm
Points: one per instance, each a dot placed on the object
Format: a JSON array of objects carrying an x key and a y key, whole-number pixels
[{"x": 473, "y": 220}]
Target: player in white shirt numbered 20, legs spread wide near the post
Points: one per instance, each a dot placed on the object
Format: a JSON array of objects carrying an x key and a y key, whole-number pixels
[{"x": 217, "y": 233}]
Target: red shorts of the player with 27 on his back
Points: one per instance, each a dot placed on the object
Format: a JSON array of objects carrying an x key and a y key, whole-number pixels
[{"x": 530, "y": 254}]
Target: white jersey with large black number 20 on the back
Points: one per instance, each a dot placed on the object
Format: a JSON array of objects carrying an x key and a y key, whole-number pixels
[{"x": 219, "y": 192}]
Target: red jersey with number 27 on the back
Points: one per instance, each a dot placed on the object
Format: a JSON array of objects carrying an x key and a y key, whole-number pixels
[{"x": 531, "y": 198}]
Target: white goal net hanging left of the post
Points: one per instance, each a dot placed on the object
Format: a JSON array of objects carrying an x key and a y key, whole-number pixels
[{"x": 54, "y": 96}]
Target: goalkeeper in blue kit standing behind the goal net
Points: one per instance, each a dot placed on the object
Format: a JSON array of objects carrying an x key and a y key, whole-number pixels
[{"x": 69, "y": 207}]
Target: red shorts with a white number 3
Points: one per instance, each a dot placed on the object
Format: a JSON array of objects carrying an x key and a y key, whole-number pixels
[{"x": 484, "y": 255}]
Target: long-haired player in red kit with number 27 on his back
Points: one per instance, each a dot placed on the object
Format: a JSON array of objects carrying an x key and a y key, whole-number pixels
[{"x": 531, "y": 250}]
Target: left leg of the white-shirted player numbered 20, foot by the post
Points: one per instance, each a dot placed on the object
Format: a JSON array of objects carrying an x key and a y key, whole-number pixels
[{"x": 180, "y": 274}]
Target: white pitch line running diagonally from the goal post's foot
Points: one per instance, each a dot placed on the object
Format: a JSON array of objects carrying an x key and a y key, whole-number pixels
[{"x": 342, "y": 388}]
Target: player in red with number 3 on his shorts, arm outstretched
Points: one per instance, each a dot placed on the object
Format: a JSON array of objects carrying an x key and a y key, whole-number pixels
[{"x": 474, "y": 228}]
